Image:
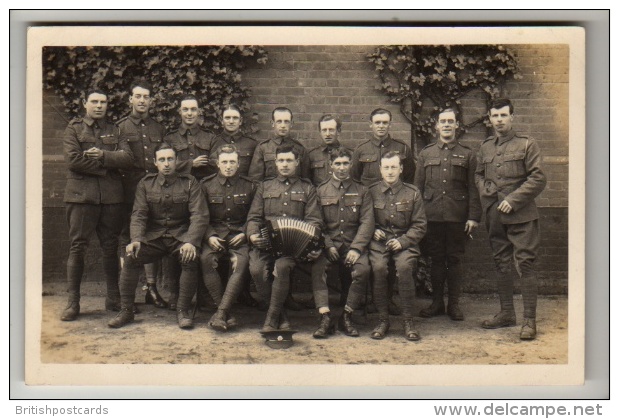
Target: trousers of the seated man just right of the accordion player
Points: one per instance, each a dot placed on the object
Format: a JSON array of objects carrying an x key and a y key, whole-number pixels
[{"x": 359, "y": 272}]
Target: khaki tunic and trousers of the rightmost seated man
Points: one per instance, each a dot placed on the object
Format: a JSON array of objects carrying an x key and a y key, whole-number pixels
[{"x": 399, "y": 213}]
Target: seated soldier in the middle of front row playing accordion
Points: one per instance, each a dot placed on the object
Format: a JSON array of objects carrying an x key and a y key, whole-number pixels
[{"x": 286, "y": 195}]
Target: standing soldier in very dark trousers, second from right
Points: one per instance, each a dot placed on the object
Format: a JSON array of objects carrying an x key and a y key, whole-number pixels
[{"x": 446, "y": 178}]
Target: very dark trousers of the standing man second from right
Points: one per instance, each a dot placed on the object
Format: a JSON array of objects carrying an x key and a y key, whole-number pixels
[{"x": 444, "y": 242}]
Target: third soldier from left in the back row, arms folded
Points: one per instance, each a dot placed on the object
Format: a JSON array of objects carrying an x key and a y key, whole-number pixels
[{"x": 192, "y": 142}]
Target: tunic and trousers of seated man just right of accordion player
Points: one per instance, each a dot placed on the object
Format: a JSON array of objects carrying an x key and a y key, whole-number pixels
[{"x": 349, "y": 225}]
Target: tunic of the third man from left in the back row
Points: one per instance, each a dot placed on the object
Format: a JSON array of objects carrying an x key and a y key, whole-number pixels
[{"x": 189, "y": 144}]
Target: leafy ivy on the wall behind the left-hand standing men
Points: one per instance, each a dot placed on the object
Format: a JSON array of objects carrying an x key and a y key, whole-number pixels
[{"x": 212, "y": 73}]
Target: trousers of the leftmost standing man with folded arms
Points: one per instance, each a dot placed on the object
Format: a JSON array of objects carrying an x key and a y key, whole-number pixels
[{"x": 85, "y": 219}]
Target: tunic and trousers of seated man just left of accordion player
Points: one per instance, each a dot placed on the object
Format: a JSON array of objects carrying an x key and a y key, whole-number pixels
[{"x": 228, "y": 200}]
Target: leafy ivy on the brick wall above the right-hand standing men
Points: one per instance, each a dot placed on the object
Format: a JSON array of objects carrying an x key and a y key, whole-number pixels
[{"x": 439, "y": 76}]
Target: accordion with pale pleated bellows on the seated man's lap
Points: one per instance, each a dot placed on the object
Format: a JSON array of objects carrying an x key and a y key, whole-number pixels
[{"x": 291, "y": 237}]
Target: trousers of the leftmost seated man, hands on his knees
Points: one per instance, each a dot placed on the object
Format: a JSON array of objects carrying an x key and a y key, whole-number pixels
[{"x": 154, "y": 250}]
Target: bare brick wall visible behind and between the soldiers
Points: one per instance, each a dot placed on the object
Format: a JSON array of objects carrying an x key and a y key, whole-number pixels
[{"x": 313, "y": 80}]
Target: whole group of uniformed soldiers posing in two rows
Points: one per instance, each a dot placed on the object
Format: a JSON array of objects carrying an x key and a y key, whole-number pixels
[{"x": 204, "y": 198}]
